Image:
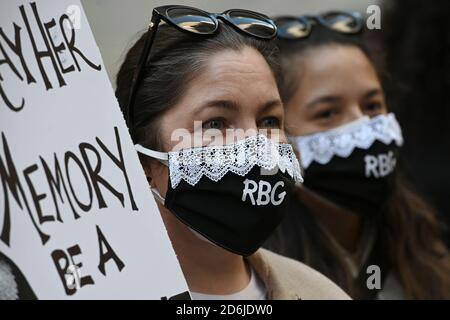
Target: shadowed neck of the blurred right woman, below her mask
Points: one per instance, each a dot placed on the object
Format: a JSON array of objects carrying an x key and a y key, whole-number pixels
[{"x": 349, "y": 229}]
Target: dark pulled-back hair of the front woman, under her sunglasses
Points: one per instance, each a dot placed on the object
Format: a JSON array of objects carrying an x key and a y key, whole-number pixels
[{"x": 175, "y": 59}]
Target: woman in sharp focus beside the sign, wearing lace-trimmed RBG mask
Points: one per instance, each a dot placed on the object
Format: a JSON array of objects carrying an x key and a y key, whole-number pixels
[{"x": 199, "y": 72}]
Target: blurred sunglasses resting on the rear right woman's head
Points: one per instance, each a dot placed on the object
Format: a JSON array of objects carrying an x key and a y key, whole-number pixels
[{"x": 292, "y": 28}]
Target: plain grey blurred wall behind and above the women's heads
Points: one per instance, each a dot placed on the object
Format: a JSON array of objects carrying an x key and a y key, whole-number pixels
[{"x": 117, "y": 23}]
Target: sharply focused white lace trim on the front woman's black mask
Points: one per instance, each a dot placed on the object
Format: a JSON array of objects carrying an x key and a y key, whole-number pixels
[{"x": 214, "y": 162}]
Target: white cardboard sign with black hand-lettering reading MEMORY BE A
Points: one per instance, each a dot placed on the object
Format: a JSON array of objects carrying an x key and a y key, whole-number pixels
[{"x": 77, "y": 218}]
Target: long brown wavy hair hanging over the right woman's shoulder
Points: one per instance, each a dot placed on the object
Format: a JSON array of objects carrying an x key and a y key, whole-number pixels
[{"x": 411, "y": 237}]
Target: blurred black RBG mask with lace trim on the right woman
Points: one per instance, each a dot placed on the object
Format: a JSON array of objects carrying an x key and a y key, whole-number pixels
[{"x": 353, "y": 165}]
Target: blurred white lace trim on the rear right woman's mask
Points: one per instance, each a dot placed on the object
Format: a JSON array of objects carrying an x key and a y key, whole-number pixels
[{"x": 323, "y": 146}]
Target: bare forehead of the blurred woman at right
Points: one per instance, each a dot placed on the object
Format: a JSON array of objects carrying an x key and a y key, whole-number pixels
[{"x": 337, "y": 69}]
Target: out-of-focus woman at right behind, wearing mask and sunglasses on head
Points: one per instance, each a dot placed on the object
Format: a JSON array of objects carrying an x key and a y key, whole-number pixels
[{"x": 356, "y": 217}]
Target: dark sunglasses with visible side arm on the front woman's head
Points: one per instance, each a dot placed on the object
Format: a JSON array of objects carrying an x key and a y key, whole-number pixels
[{"x": 199, "y": 22}]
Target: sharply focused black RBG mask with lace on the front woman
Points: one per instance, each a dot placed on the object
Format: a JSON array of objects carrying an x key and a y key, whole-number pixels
[{"x": 233, "y": 195}]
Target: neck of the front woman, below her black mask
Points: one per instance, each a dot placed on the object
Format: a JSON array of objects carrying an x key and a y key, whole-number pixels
[{"x": 207, "y": 268}]
